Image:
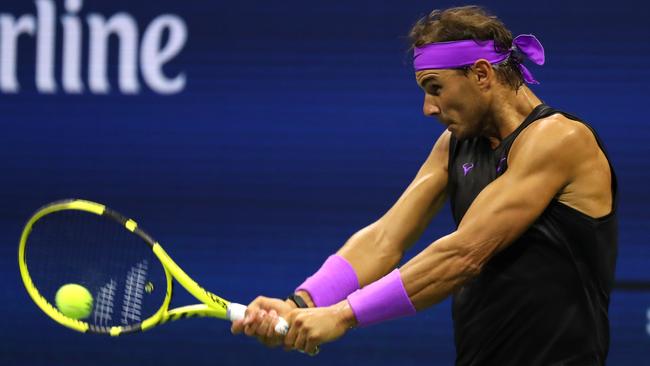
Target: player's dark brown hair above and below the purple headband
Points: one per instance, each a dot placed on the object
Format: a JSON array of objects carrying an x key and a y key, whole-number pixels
[{"x": 469, "y": 22}]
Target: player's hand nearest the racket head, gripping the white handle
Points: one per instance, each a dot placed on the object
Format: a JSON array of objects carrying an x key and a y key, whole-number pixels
[{"x": 261, "y": 317}]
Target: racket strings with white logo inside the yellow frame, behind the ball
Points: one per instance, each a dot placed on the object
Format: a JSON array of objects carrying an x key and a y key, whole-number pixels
[{"x": 126, "y": 280}]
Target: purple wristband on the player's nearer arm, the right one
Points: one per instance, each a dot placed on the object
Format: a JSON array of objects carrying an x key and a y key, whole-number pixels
[{"x": 381, "y": 300}]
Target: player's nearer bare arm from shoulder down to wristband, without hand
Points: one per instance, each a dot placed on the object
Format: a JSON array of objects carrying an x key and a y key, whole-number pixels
[{"x": 547, "y": 158}]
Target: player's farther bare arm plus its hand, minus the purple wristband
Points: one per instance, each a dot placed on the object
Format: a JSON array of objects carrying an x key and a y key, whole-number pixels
[{"x": 378, "y": 248}]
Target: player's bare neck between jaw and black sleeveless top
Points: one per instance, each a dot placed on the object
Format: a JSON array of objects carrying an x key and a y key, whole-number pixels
[{"x": 508, "y": 111}]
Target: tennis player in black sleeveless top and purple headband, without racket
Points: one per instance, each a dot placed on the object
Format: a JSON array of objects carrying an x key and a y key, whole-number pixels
[{"x": 531, "y": 263}]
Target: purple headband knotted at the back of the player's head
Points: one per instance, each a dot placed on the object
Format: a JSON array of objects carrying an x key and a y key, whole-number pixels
[{"x": 448, "y": 55}]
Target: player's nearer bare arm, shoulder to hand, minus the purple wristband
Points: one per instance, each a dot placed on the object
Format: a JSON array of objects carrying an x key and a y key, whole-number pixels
[{"x": 550, "y": 159}]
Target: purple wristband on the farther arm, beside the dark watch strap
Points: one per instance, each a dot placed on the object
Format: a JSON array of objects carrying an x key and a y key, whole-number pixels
[{"x": 332, "y": 283}]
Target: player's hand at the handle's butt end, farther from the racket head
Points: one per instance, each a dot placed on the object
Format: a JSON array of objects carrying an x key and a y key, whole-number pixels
[{"x": 308, "y": 328}]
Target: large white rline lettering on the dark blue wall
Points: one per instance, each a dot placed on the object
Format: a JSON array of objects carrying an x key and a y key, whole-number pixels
[{"x": 136, "y": 56}]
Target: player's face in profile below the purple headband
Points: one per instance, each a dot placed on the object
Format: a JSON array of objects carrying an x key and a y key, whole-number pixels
[{"x": 454, "y": 99}]
